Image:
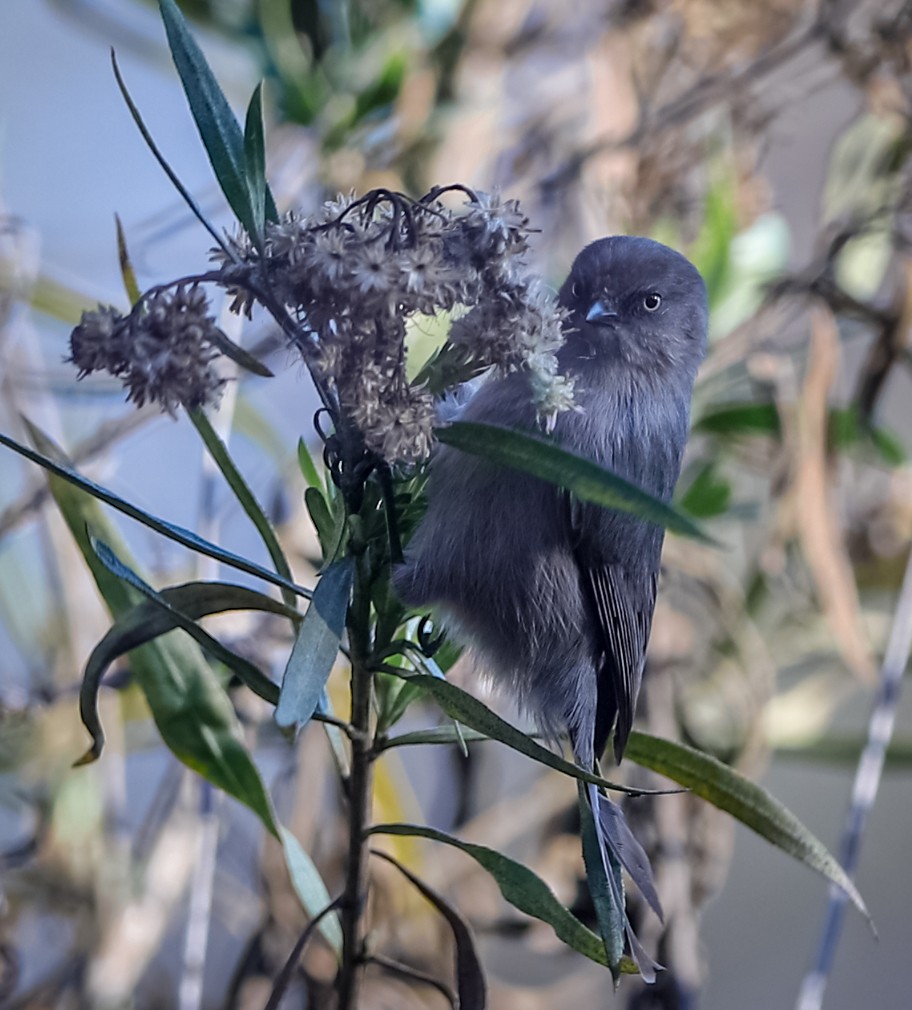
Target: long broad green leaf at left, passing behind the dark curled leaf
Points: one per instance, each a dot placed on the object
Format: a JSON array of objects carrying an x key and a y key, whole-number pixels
[{"x": 193, "y": 714}]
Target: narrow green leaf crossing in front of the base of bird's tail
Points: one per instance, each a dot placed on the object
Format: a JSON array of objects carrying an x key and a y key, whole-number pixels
[{"x": 468, "y": 711}]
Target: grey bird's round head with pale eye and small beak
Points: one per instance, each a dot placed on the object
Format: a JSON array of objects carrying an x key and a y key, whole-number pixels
[{"x": 637, "y": 301}]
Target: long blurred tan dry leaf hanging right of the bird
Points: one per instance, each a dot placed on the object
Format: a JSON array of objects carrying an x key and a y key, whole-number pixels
[{"x": 818, "y": 525}]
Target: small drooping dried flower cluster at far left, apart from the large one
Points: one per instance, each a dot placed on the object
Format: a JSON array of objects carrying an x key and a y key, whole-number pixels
[{"x": 162, "y": 352}]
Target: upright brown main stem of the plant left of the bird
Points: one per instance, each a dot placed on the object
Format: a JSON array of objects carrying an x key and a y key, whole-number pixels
[{"x": 360, "y": 790}]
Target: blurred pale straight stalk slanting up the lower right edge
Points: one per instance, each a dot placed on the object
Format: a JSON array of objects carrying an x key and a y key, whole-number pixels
[{"x": 865, "y": 790}]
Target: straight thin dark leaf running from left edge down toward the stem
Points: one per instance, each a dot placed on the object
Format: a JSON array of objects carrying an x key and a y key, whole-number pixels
[{"x": 174, "y": 533}]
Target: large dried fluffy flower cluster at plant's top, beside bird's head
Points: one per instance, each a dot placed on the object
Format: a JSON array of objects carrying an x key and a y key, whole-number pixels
[{"x": 356, "y": 273}]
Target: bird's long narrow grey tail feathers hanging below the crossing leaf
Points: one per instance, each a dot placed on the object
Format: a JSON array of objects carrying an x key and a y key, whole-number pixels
[{"x": 616, "y": 848}]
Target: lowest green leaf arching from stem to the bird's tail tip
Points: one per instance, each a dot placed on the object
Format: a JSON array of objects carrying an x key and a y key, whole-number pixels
[{"x": 523, "y": 889}]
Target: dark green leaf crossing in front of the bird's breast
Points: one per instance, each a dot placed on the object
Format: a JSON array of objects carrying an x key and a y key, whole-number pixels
[{"x": 547, "y": 461}]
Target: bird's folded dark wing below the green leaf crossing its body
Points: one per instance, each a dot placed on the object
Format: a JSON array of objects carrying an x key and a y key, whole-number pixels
[{"x": 622, "y": 599}]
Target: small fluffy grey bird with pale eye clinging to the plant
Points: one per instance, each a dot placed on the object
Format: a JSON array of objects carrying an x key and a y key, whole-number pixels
[{"x": 556, "y": 596}]
